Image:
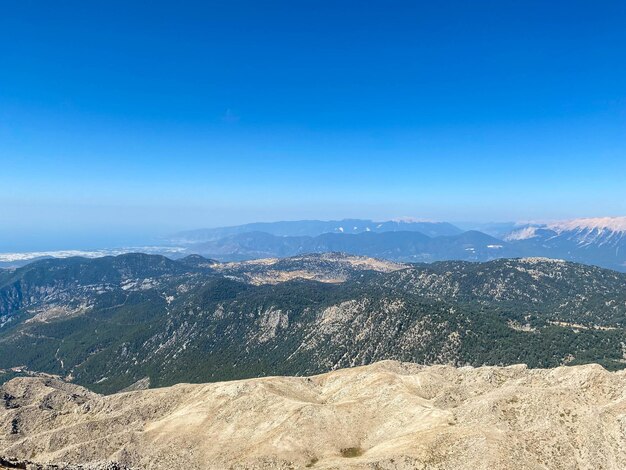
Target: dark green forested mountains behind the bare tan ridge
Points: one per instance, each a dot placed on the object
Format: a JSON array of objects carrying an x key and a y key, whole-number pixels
[{"x": 140, "y": 320}]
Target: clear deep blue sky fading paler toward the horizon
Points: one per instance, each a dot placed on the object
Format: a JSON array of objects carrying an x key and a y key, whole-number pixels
[{"x": 122, "y": 119}]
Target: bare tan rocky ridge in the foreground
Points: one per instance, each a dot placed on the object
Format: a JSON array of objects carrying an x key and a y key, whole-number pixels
[{"x": 388, "y": 415}]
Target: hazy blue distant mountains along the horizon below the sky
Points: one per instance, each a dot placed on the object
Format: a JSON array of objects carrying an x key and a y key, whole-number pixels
[{"x": 599, "y": 241}]
